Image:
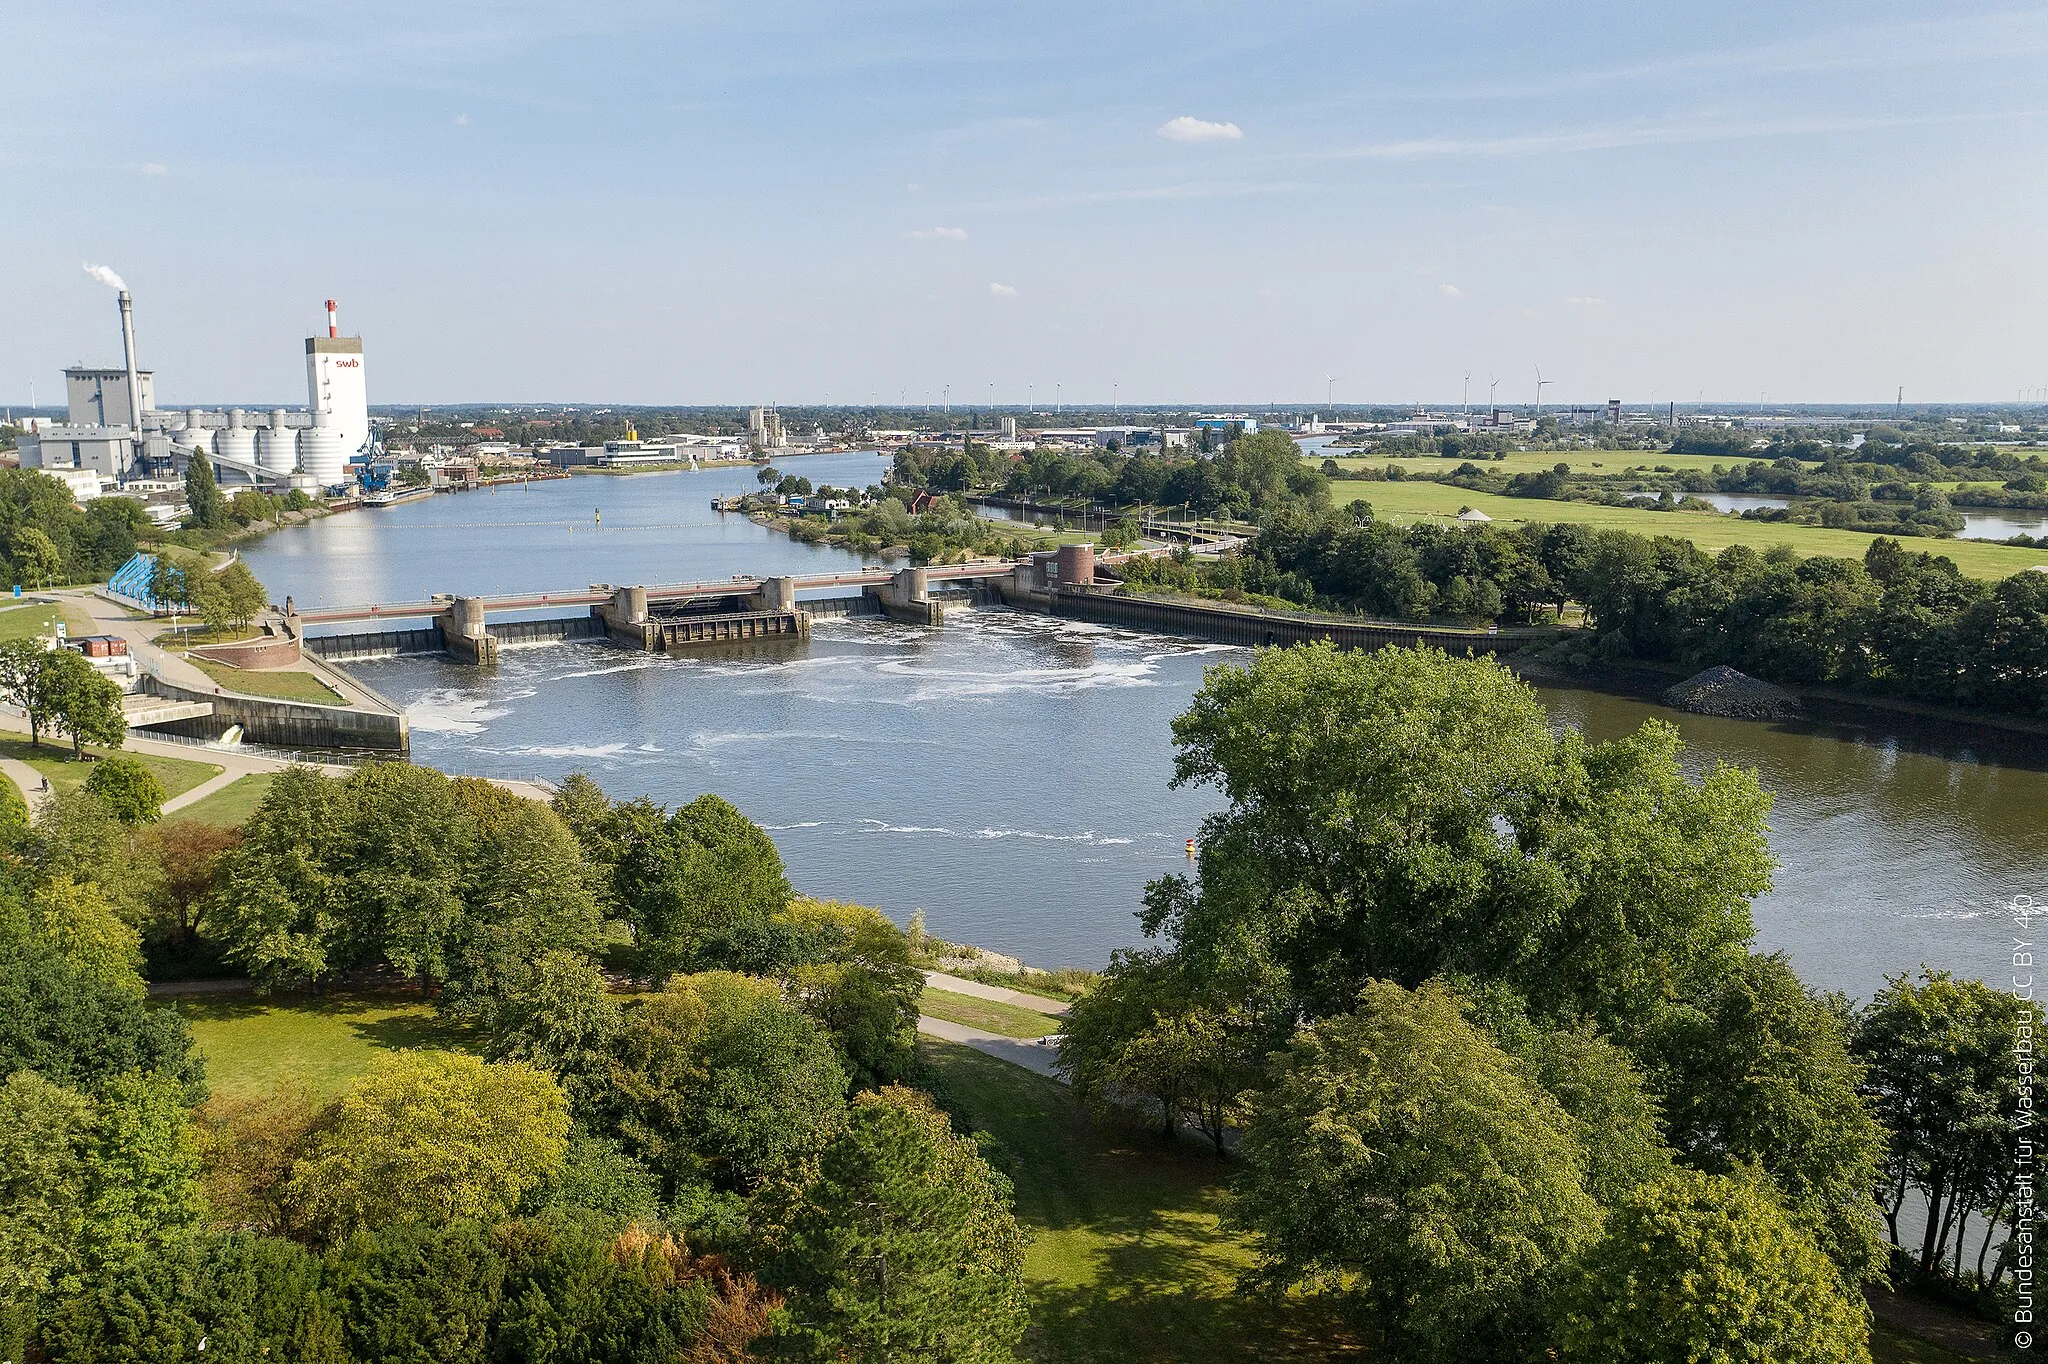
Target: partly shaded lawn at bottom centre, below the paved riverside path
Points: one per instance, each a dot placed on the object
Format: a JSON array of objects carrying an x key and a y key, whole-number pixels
[{"x": 1127, "y": 1254}]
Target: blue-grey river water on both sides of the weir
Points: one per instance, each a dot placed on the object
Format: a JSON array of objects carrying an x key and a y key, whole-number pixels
[{"x": 1009, "y": 773}]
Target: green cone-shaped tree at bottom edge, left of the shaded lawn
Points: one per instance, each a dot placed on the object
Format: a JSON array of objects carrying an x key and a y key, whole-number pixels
[{"x": 900, "y": 1246}]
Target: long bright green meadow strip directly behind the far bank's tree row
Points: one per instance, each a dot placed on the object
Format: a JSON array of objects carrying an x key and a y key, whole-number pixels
[{"x": 1404, "y": 503}]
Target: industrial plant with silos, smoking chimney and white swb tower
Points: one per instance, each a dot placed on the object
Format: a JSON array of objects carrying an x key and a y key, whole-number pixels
[{"x": 116, "y": 433}]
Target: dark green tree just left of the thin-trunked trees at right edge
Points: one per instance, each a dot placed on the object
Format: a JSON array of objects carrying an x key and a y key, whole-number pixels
[{"x": 1756, "y": 1070}]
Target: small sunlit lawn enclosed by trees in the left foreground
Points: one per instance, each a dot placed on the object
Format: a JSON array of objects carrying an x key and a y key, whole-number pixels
[{"x": 253, "y": 1043}]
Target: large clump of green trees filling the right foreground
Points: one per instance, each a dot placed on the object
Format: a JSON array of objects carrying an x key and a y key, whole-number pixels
[{"x": 1480, "y": 1000}]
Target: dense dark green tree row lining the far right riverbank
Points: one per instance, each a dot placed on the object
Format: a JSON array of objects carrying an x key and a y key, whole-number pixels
[{"x": 1895, "y": 624}]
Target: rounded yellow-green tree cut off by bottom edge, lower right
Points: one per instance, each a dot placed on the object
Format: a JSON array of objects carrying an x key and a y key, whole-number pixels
[{"x": 1709, "y": 1269}]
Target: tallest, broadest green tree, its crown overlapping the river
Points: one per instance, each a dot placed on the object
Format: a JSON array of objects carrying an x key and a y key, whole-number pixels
[{"x": 1406, "y": 814}]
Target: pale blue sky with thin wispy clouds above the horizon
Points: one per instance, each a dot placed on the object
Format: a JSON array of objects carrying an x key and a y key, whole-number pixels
[{"x": 718, "y": 204}]
